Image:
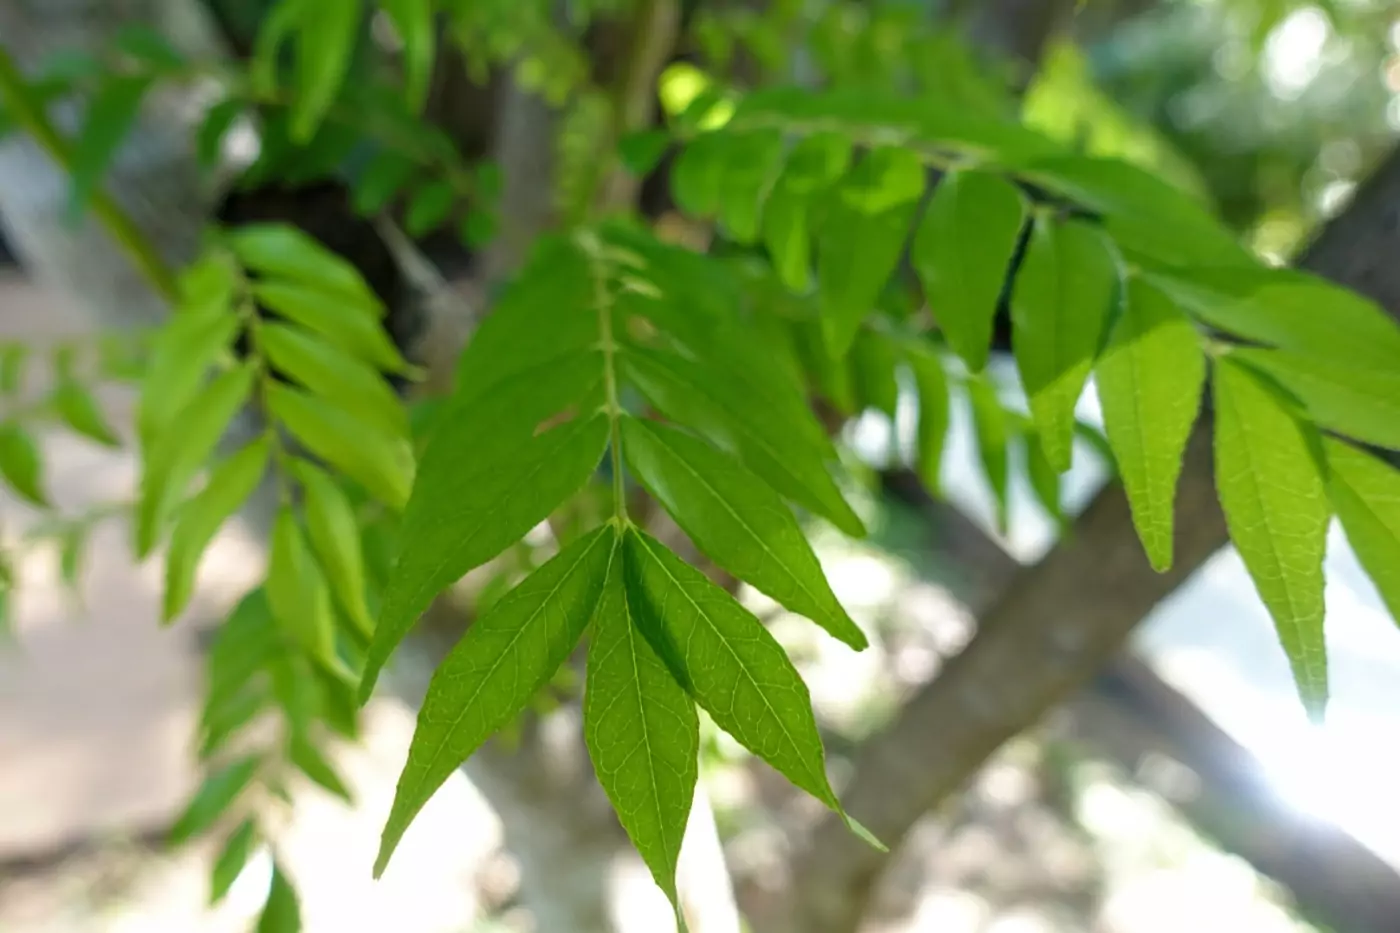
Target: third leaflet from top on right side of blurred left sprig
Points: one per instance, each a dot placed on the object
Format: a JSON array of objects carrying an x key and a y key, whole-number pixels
[{"x": 339, "y": 378}]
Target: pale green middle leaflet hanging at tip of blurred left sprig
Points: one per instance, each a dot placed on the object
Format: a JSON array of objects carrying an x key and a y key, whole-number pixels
[{"x": 297, "y": 590}]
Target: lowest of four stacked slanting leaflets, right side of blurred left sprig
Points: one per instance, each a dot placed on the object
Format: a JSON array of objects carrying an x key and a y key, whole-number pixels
[{"x": 374, "y": 459}]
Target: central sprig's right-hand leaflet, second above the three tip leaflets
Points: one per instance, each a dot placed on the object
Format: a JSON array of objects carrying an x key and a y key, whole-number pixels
[{"x": 771, "y": 445}]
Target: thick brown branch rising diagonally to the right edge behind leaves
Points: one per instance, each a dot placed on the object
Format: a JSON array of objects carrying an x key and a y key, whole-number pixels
[{"x": 1058, "y": 623}]
